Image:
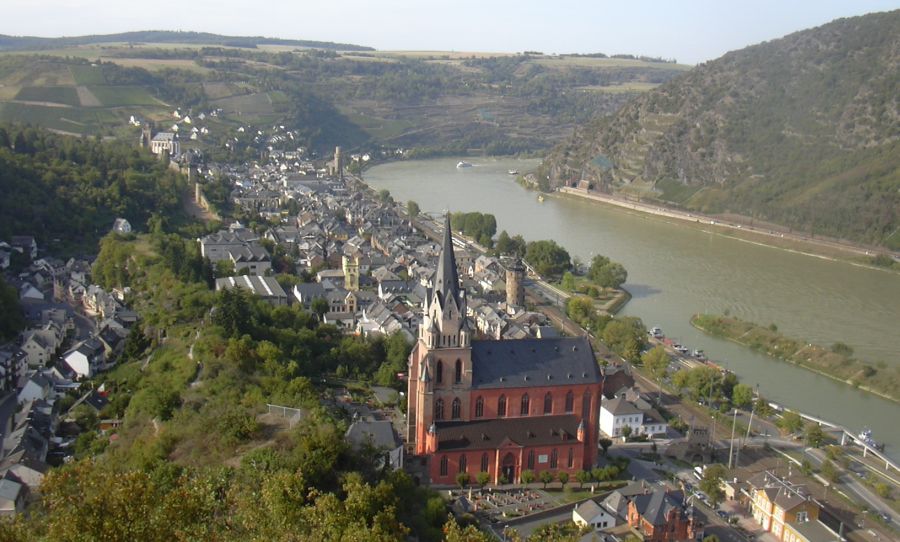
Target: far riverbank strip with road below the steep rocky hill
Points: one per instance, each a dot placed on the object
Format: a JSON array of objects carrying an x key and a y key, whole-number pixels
[{"x": 828, "y": 249}]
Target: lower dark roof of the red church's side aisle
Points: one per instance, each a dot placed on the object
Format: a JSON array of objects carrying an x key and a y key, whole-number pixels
[{"x": 525, "y": 431}]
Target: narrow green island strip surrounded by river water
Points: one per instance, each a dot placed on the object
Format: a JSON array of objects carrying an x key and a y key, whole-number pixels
[{"x": 836, "y": 362}]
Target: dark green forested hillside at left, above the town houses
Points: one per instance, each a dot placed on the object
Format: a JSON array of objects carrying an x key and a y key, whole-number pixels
[{"x": 67, "y": 191}]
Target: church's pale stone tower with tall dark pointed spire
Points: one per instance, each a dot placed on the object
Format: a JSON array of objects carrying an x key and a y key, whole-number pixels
[{"x": 440, "y": 365}]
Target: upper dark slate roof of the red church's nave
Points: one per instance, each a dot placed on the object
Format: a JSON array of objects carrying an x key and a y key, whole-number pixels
[{"x": 533, "y": 362}]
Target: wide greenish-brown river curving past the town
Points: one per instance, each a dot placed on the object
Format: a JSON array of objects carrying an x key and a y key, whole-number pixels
[{"x": 676, "y": 270}]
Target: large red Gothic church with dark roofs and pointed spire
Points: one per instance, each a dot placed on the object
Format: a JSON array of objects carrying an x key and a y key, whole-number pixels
[{"x": 499, "y": 407}]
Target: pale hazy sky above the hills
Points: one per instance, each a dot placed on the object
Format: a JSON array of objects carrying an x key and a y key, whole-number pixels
[{"x": 689, "y": 30}]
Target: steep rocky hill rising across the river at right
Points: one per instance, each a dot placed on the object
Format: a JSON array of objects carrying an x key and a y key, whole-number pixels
[{"x": 803, "y": 131}]
